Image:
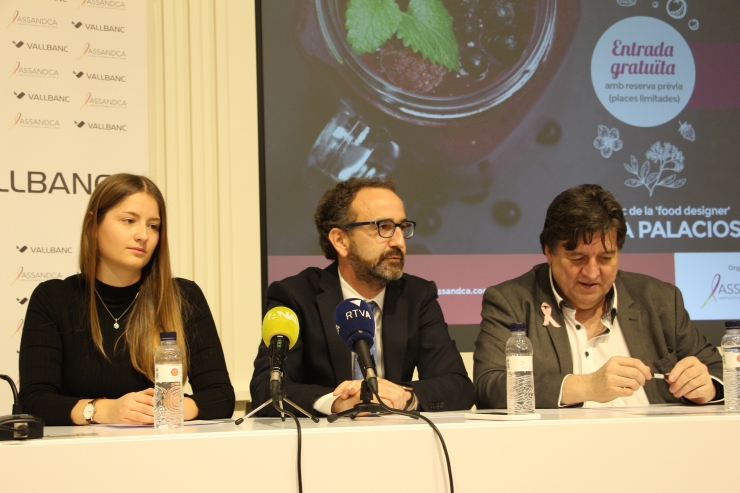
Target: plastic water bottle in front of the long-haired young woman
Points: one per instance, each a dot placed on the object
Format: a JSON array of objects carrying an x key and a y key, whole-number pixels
[{"x": 168, "y": 392}]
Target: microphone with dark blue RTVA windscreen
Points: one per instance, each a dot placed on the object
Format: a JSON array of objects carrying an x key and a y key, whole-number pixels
[{"x": 355, "y": 324}]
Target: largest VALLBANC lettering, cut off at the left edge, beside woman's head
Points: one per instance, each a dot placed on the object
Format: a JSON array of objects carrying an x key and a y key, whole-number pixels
[{"x": 40, "y": 182}]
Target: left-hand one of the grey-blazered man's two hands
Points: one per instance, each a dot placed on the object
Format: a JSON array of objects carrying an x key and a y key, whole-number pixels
[{"x": 619, "y": 377}]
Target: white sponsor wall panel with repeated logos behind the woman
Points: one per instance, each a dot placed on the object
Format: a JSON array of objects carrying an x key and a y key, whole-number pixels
[{"x": 73, "y": 110}]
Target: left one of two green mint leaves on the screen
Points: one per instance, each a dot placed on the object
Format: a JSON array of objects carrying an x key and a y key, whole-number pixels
[{"x": 370, "y": 23}]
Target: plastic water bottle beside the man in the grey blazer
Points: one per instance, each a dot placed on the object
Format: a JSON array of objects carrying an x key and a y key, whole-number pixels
[{"x": 519, "y": 375}]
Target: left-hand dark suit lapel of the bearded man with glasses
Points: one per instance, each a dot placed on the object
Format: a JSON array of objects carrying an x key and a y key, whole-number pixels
[{"x": 330, "y": 295}]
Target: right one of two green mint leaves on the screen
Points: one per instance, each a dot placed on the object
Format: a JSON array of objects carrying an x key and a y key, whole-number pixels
[{"x": 427, "y": 28}]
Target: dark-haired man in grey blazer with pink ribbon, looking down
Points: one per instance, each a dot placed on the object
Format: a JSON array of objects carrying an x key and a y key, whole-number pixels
[{"x": 598, "y": 333}]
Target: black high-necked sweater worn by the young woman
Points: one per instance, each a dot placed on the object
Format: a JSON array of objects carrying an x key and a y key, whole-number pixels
[{"x": 59, "y": 363}]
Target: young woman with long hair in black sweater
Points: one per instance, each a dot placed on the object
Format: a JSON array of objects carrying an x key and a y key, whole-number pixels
[{"x": 87, "y": 350}]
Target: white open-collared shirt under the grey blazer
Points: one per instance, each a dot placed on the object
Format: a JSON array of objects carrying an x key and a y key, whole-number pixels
[{"x": 589, "y": 356}]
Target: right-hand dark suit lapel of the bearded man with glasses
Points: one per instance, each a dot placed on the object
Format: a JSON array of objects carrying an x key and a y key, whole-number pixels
[{"x": 395, "y": 332}]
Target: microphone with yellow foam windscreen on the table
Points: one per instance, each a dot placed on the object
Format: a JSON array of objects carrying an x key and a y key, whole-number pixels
[{"x": 279, "y": 333}]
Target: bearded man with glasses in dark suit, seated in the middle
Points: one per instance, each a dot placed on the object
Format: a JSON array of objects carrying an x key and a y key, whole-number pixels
[{"x": 362, "y": 226}]
